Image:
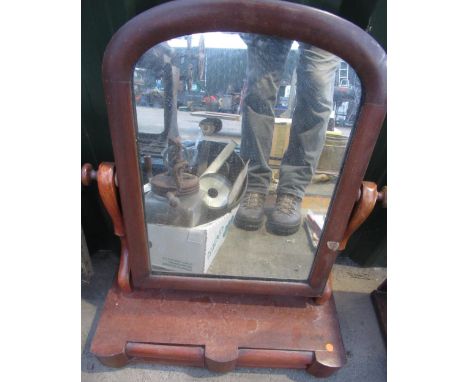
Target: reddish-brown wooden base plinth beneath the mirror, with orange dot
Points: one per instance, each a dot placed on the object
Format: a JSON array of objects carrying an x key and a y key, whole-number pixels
[{"x": 219, "y": 331}]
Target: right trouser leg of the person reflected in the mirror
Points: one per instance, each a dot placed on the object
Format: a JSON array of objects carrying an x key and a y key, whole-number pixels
[{"x": 315, "y": 81}]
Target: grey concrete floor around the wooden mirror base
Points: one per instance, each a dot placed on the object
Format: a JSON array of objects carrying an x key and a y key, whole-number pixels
[{"x": 366, "y": 352}]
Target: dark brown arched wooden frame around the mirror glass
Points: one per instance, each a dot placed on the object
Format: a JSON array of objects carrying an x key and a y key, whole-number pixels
[{"x": 283, "y": 19}]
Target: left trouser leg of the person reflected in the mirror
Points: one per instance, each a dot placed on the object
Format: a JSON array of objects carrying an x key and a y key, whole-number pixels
[{"x": 266, "y": 59}]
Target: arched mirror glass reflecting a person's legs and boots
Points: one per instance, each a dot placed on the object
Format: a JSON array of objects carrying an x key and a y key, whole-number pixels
[{"x": 241, "y": 140}]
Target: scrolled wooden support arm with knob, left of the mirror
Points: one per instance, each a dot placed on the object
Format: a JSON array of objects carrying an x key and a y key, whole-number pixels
[{"x": 106, "y": 179}]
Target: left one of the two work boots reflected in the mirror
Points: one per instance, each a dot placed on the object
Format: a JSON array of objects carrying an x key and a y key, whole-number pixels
[{"x": 250, "y": 213}]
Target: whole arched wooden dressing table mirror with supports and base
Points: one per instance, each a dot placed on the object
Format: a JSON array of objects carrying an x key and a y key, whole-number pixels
[{"x": 219, "y": 110}]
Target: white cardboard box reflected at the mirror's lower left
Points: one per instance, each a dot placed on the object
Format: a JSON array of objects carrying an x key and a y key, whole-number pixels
[{"x": 187, "y": 250}]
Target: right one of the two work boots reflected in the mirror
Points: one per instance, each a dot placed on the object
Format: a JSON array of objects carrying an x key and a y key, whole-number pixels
[{"x": 286, "y": 217}]
